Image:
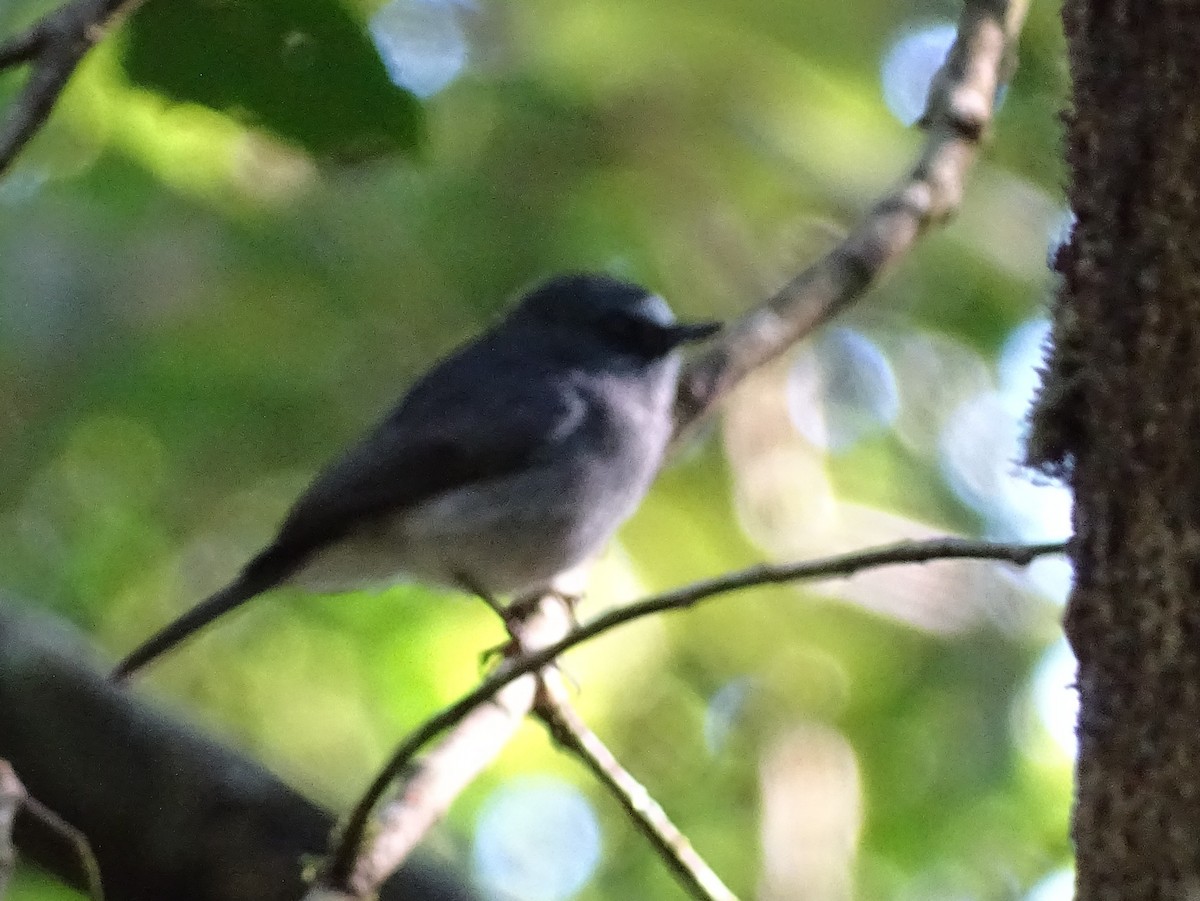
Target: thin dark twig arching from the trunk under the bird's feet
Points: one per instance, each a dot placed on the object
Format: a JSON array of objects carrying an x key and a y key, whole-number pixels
[{"x": 905, "y": 552}]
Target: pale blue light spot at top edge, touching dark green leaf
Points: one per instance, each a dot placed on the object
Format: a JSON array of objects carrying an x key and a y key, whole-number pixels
[{"x": 423, "y": 43}]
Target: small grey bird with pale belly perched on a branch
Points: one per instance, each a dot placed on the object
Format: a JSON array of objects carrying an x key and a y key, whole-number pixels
[{"x": 509, "y": 462}]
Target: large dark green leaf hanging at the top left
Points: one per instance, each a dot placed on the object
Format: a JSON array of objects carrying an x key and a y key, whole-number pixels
[{"x": 304, "y": 70}]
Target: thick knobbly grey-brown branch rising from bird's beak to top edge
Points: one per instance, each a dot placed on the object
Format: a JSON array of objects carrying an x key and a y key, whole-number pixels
[{"x": 957, "y": 117}]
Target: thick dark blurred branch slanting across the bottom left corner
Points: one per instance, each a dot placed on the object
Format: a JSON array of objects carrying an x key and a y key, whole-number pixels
[{"x": 170, "y": 814}]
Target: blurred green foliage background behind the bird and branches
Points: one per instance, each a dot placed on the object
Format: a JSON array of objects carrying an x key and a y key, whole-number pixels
[{"x": 196, "y": 315}]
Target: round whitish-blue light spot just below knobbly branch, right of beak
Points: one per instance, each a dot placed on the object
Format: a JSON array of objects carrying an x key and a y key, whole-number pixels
[{"x": 842, "y": 391}]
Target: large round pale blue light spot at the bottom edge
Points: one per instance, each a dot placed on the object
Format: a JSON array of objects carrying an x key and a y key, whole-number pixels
[{"x": 536, "y": 840}]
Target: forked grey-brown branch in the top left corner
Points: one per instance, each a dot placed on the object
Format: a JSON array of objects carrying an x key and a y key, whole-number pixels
[{"x": 52, "y": 47}]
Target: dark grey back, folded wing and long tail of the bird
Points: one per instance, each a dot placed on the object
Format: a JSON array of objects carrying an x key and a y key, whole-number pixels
[{"x": 452, "y": 430}]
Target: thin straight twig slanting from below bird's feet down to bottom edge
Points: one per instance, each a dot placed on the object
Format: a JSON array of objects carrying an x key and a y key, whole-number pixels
[{"x": 555, "y": 711}]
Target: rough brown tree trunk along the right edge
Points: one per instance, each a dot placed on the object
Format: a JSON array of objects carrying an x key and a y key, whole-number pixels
[{"x": 1120, "y": 417}]
